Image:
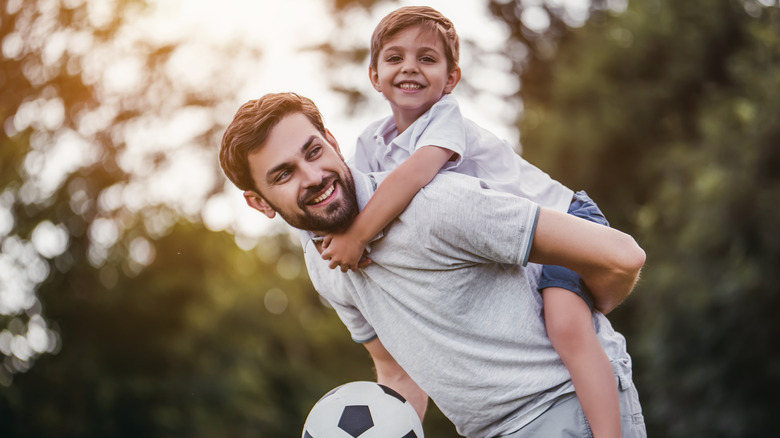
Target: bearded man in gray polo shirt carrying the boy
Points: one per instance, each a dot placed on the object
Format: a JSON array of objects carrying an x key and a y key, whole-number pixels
[{"x": 448, "y": 306}]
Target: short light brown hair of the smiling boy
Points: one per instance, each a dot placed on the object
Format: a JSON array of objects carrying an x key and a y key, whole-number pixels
[{"x": 406, "y": 17}]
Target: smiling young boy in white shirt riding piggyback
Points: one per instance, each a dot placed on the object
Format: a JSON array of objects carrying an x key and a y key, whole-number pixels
[{"x": 414, "y": 64}]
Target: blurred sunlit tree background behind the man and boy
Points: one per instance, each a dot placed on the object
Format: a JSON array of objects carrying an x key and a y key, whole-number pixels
[{"x": 140, "y": 297}]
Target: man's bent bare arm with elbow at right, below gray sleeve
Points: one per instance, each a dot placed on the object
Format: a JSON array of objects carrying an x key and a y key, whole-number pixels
[{"x": 609, "y": 261}]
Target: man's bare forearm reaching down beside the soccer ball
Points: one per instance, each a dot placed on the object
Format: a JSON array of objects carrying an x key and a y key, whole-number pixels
[{"x": 389, "y": 373}]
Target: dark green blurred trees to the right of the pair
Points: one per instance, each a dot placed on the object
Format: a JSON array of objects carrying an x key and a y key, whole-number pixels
[{"x": 666, "y": 113}]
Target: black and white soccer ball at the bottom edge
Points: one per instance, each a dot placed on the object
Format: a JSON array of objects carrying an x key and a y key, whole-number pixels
[{"x": 362, "y": 410}]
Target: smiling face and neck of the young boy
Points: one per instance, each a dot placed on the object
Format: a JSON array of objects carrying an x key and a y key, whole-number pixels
[{"x": 412, "y": 73}]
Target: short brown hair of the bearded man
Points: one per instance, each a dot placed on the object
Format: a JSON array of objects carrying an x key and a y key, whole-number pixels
[{"x": 251, "y": 127}]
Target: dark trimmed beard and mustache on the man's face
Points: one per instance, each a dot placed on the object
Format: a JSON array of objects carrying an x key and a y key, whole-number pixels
[{"x": 335, "y": 217}]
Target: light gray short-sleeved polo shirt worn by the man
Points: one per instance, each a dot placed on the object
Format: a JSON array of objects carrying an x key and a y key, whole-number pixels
[{"x": 450, "y": 297}]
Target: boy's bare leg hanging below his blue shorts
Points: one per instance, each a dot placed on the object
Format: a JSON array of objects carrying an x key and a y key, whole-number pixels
[{"x": 570, "y": 327}]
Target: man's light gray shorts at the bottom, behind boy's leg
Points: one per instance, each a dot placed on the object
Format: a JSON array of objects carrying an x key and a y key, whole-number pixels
[{"x": 566, "y": 419}]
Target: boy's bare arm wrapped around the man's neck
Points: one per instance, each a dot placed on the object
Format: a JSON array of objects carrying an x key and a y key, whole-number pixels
[{"x": 390, "y": 199}]
